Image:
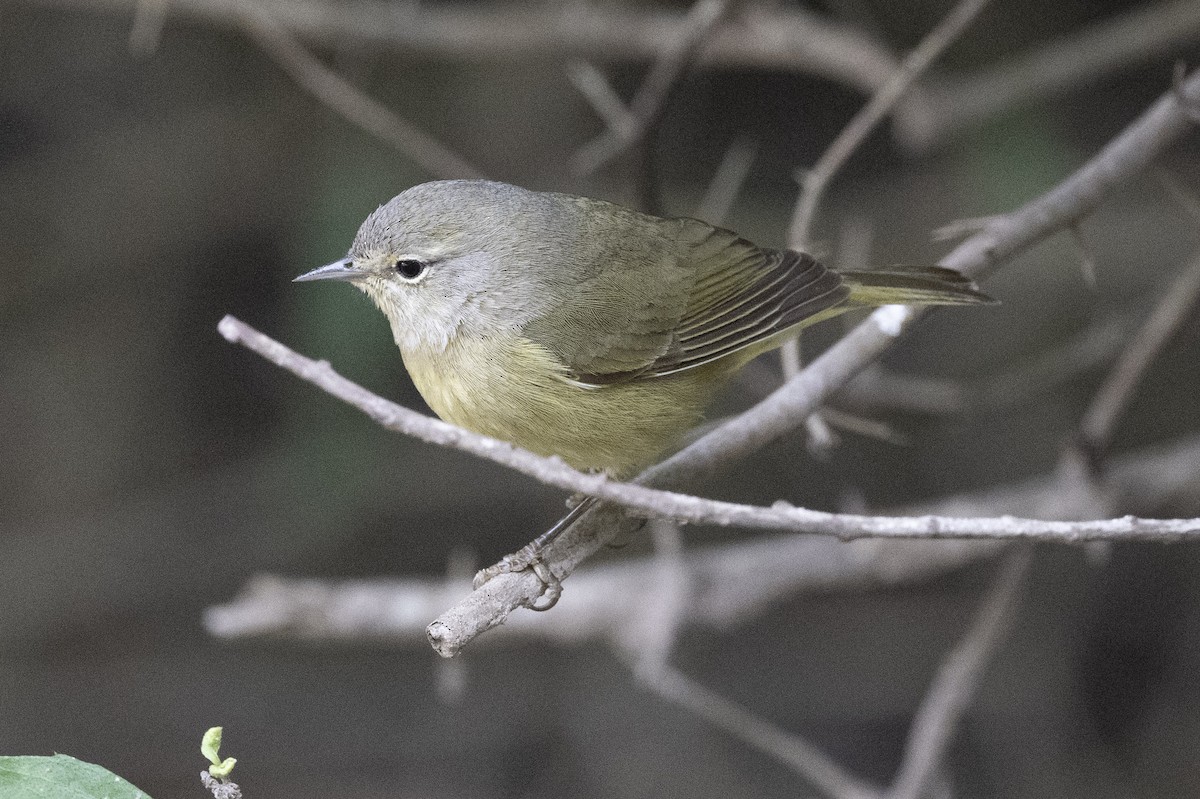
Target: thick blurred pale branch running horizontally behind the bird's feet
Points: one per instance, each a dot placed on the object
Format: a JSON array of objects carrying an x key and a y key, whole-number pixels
[{"x": 615, "y": 597}]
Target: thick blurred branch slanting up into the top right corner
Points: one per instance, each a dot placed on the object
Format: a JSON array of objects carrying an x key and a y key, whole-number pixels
[{"x": 1139, "y": 37}]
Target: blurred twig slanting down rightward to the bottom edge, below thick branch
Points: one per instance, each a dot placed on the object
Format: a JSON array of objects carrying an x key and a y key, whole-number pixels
[{"x": 790, "y": 749}]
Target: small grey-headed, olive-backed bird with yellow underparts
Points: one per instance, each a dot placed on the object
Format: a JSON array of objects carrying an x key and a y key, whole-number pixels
[{"x": 586, "y": 331}]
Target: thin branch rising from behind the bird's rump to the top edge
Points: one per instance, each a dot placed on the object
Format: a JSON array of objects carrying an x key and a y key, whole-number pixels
[{"x": 814, "y": 182}]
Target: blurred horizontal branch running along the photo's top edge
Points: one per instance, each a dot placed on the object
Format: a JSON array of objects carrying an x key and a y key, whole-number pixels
[{"x": 778, "y": 38}]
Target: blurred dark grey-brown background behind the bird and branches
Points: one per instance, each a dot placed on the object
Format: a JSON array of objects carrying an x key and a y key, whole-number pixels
[{"x": 152, "y": 185}]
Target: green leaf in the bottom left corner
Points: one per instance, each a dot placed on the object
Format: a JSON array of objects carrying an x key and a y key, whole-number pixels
[{"x": 62, "y": 778}]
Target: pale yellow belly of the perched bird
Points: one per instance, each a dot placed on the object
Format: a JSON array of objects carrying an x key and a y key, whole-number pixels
[{"x": 513, "y": 389}]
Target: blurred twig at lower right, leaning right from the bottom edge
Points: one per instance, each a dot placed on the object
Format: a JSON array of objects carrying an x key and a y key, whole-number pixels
[{"x": 958, "y": 682}]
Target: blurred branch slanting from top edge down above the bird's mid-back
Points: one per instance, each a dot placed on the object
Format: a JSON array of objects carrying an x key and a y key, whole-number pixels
[{"x": 650, "y": 103}]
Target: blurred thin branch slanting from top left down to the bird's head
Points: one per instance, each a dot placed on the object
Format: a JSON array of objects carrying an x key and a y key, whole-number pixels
[{"x": 344, "y": 98}]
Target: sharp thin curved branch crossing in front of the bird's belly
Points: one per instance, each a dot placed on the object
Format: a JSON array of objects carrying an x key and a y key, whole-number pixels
[{"x": 683, "y": 508}]
